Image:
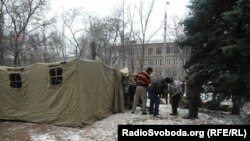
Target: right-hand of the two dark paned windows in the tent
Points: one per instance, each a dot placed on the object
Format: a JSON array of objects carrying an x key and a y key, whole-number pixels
[{"x": 56, "y": 76}]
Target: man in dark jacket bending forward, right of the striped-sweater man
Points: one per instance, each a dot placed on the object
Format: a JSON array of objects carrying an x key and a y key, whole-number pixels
[{"x": 159, "y": 86}]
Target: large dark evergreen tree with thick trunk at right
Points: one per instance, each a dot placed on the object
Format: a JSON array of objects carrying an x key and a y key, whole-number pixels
[{"x": 218, "y": 33}]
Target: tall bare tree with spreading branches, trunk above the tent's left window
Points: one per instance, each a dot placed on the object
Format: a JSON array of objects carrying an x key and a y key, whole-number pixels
[{"x": 24, "y": 16}]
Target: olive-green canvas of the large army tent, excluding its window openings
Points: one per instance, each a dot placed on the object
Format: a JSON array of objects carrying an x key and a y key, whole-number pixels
[{"x": 89, "y": 91}]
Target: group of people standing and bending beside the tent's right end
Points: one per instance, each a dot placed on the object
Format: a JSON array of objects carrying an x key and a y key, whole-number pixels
[{"x": 144, "y": 85}]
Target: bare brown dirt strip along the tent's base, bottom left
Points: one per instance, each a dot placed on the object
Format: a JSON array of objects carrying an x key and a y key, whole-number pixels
[{"x": 23, "y": 131}]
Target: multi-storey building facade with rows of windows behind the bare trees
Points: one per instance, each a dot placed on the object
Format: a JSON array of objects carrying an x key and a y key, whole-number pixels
[{"x": 130, "y": 56}]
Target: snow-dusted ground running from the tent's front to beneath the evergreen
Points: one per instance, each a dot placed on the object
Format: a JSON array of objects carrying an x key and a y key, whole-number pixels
[{"x": 106, "y": 129}]
